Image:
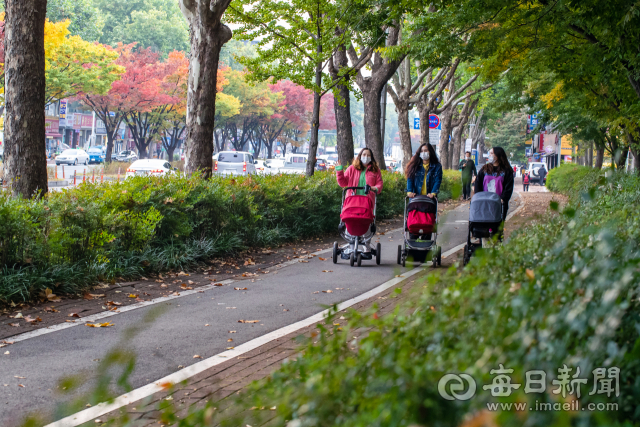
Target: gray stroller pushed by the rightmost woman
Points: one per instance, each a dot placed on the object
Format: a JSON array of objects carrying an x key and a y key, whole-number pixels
[{"x": 485, "y": 221}]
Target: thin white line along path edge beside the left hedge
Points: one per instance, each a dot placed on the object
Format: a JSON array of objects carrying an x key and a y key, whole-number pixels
[{"x": 105, "y": 314}]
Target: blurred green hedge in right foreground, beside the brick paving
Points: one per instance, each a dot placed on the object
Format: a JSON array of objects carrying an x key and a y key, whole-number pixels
[{"x": 562, "y": 291}]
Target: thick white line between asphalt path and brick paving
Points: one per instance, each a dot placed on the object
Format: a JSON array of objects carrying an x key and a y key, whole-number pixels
[{"x": 186, "y": 373}]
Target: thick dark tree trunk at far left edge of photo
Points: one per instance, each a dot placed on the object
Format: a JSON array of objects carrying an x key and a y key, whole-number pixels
[{"x": 25, "y": 161}]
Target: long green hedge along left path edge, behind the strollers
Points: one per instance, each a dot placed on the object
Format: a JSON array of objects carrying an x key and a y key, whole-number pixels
[{"x": 100, "y": 232}]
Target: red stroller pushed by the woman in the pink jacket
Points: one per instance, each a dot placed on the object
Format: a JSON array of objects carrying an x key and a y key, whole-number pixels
[{"x": 357, "y": 227}]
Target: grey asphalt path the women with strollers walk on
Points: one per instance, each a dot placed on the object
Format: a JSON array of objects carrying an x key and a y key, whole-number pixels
[{"x": 171, "y": 341}]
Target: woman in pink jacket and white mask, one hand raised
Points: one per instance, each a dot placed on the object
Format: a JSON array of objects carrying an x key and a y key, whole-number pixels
[{"x": 364, "y": 170}]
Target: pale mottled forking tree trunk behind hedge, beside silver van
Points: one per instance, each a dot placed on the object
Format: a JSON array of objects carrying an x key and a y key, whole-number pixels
[{"x": 208, "y": 35}]
